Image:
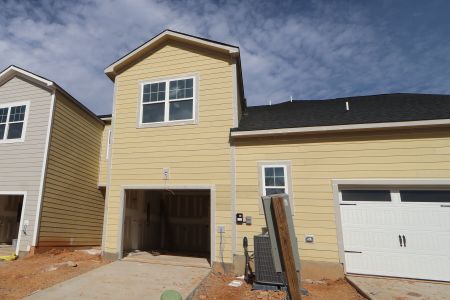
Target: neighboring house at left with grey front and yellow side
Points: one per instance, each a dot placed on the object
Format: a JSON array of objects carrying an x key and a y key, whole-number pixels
[{"x": 49, "y": 162}]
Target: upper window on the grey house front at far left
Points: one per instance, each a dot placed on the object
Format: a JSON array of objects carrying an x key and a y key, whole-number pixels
[{"x": 12, "y": 122}]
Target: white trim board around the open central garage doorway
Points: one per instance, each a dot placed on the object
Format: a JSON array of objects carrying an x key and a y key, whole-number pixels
[{"x": 122, "y": 207}]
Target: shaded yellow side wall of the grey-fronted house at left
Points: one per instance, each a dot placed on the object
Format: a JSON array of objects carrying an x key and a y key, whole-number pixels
[{"x": 72, "y": 209}]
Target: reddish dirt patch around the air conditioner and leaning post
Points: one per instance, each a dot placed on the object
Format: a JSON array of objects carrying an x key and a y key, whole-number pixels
[{"x": 215, "y": 286}]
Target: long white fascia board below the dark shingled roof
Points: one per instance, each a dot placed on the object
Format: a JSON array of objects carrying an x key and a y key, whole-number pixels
[{"x": 333, "y": 128}]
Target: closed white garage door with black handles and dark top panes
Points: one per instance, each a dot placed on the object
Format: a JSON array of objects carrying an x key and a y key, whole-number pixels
[{"x": 401, "y": 232}]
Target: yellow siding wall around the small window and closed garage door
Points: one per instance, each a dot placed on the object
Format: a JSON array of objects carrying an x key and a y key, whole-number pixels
[{"x": 317, "y": 160}]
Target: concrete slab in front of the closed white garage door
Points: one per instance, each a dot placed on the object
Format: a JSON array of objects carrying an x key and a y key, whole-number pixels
[{"x": 383, "y": 288}]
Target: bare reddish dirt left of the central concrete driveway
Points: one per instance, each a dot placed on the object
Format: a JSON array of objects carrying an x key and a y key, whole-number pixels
[{"x": 22, "y": 277}]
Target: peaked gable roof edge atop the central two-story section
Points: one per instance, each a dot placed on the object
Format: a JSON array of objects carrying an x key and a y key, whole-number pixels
[{"x": 111, "y": 70}]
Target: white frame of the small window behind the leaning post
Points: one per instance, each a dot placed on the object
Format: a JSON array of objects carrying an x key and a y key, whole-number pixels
[{"x": 287, "y": 167}]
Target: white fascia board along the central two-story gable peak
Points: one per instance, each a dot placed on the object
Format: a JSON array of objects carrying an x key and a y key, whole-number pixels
[{"x": 229, "y": 49}]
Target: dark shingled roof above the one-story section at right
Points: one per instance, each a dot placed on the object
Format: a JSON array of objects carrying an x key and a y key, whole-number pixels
[{"x": 374, "y": 109}]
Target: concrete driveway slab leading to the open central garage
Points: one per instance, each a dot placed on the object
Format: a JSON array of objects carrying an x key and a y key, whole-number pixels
[{"x": 126, "y": 280}]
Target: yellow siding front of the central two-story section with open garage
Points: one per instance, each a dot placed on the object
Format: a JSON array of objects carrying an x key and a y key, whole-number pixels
[{"x": 196, "y": 154}]
